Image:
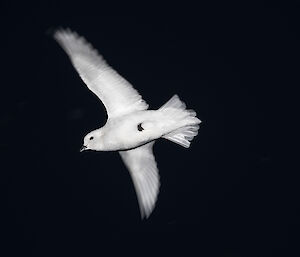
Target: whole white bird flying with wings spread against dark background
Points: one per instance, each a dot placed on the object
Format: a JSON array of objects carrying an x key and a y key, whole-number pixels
[{"x": 131, "y": 128}]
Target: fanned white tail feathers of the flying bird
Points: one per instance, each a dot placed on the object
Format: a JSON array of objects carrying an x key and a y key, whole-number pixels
[{"x": 186, "y": 120}]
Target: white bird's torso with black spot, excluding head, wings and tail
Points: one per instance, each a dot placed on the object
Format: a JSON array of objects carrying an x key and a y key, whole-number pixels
[{"x": 122, "y": 133}]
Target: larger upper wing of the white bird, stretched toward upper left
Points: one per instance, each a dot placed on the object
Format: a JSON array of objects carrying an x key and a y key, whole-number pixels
[{"x": 117, "y": 94}]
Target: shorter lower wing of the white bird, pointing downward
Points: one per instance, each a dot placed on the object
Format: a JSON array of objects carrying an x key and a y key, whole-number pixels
[{"x": 144, "y": 173}]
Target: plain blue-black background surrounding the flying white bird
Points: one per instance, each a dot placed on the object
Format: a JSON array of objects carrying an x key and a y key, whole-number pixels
[{"x": 233, "y": 193}]
